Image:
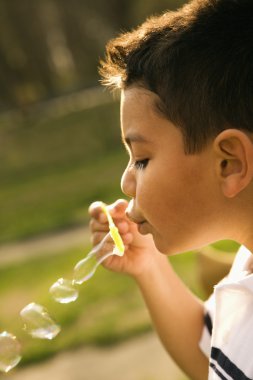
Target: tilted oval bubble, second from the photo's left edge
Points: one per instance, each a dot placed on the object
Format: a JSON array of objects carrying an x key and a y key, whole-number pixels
[{"x": 38, "y": 323}]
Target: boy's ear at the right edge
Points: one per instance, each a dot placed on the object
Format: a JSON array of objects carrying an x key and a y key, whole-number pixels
[{"x": 234, "y": 160}]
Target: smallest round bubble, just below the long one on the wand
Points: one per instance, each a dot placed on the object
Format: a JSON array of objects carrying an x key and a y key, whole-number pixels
[{"x": 63, "y": 291}]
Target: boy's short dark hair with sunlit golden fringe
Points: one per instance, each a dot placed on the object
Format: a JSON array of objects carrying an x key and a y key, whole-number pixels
[{"x": 198, "y": 60}]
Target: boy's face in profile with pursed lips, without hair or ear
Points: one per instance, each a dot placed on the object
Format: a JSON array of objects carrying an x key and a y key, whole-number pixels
[{"x": 174, "y": 194}]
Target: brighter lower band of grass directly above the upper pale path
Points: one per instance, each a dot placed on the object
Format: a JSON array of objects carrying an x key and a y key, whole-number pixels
[{"x": 58, "y": 200}]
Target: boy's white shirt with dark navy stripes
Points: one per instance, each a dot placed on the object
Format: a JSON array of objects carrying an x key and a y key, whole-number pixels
[{"x": 229, "y": 314}]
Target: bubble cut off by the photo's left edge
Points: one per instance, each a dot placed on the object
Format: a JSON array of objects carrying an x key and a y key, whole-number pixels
[{"x": 10, "y": 350}]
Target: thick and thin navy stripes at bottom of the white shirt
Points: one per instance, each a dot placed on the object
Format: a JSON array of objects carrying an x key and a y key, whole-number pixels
[{"x": 227, "y": 365}]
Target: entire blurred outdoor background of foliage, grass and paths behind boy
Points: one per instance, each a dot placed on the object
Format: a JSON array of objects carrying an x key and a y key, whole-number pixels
[{"x": 59, "y": 151}]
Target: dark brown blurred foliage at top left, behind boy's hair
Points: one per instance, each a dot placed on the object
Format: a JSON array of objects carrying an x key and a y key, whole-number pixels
[{"x": 52, "y": 47}]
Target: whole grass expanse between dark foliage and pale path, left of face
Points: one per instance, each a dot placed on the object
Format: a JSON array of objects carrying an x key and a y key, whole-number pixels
[{"x": 52, "y": 170}]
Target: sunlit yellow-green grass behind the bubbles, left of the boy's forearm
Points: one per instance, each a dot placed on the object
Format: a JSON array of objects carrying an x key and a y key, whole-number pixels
[{"x": 109, "y": 307}]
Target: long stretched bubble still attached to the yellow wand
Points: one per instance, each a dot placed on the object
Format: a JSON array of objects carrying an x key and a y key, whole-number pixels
[{"x": 87, "y": 267}]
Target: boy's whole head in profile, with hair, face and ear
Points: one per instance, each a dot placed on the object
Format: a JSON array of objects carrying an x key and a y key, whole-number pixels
[{"x": 187, "y": 120}]
